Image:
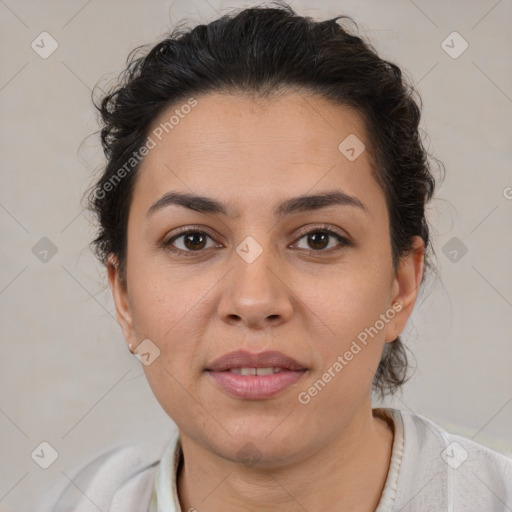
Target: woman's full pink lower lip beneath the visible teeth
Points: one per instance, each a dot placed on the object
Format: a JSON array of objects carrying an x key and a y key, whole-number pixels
[{"x": 255, "y": 387}]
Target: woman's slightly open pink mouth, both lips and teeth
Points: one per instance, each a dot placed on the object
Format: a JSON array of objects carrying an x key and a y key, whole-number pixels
[{"x": 250, "y": 376}]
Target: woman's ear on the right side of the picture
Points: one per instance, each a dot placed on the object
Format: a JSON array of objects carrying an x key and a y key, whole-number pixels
[{"x": 405, "y": 287}]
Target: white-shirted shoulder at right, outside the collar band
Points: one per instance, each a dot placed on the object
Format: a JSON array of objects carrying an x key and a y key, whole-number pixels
[{"x": 457, "y": 469}]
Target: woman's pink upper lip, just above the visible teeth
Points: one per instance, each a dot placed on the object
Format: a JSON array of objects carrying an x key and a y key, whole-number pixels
[{"x": 245, "y": 359}]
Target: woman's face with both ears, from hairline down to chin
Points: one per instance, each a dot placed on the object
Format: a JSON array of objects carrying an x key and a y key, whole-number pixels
[{"x": 254, "y": 280}]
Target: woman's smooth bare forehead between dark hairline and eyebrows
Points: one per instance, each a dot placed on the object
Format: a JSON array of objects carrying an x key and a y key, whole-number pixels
[{"x": 229, "y": 145}]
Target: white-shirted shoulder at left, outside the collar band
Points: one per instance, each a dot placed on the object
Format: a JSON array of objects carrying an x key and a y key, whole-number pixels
[{"x": 124, "y": 474}]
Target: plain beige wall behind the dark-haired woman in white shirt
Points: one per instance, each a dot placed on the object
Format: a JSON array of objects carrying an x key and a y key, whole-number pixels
[{"x": 66, "y": 376}]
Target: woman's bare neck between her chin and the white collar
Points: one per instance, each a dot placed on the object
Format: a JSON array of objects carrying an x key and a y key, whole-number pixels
[{"x": 348, "y": 472}]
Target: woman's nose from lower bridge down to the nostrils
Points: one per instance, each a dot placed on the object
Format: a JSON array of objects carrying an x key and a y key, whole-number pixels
[{"x": 256, "y": 293}]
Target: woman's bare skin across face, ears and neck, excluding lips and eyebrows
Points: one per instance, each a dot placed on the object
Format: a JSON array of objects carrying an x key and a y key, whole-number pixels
[{"x": 308, "y": 301}]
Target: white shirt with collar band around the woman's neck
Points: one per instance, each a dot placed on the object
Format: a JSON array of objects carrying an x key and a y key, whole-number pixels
[{"x": 431, "y": 470}]
